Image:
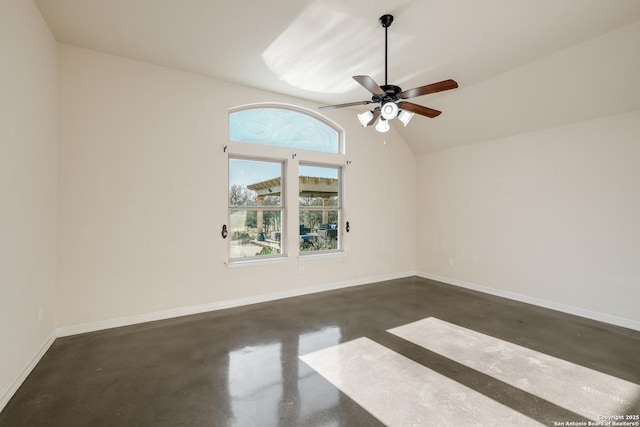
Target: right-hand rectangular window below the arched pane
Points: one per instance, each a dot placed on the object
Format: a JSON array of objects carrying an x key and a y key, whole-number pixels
[{"x": 320, "y": 205}]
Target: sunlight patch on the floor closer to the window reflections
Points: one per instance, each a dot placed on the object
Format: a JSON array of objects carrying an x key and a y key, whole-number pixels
[{"x": 401, "y": 392}]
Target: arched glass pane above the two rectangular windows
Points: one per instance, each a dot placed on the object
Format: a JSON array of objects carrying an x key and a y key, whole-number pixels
[{"x": 283, "y": 128}]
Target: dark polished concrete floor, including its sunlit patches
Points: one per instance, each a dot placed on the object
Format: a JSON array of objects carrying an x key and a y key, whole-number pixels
[{"x": 254, "y": 365}]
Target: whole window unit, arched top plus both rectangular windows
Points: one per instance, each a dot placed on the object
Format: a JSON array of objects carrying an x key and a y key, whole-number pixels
[{"x": 264, "y": 203}]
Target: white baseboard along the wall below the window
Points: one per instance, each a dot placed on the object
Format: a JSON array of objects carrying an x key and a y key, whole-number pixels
[{"x": 203, "y": 308}]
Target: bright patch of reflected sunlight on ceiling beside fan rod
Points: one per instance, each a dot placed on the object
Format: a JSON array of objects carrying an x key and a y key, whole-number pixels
[{"x": 327, "y": 36}]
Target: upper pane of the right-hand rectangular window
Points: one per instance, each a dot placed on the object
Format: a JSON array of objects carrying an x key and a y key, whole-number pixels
[{"x": 319, "y": 186}]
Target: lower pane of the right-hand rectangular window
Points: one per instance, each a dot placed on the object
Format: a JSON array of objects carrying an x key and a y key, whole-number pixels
[{"x": 319, "y": 230}]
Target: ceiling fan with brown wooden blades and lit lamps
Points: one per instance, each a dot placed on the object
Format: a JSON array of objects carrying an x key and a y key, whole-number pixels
[{"x": 390, "y": 98}]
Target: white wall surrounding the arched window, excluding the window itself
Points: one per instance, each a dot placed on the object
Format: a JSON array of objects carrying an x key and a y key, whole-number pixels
[{"x": 143, "y": 194}]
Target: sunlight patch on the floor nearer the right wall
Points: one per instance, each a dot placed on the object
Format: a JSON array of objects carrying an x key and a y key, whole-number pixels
[{"x": 576, "y": 388}]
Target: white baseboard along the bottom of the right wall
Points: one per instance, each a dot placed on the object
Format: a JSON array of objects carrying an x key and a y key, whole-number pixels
[{"x": 593, "y": 315}]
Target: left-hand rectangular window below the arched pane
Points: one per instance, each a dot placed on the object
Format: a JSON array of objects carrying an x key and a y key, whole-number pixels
[{"x": 256, "y": 207}]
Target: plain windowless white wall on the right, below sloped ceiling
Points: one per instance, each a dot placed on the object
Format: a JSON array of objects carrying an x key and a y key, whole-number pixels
[{"x": 551, "y": 215}]
